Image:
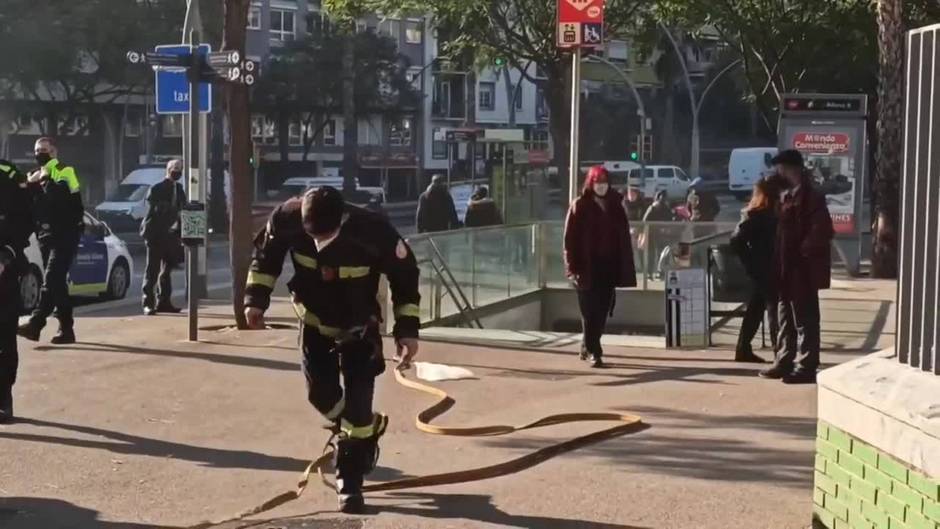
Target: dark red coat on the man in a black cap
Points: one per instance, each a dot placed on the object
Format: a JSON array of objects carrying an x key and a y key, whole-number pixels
[{"x": 803, "y": 255}]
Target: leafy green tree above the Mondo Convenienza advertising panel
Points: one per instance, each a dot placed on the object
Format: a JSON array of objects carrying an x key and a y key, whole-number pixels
[{"x": 788, "y": 46}]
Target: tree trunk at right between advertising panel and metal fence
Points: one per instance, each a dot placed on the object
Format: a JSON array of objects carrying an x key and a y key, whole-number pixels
[{"x": 888, "y": 156}]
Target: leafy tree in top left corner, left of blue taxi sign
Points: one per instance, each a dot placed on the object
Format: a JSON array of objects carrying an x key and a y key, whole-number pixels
[{"x": 65, "y": 59}]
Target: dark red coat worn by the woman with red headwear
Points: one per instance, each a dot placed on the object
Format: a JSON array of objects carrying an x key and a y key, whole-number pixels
[{"x": 585, "y": 221}]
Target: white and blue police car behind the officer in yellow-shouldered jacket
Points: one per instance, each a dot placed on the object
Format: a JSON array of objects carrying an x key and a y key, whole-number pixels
[{"x": 102, "y": 266}]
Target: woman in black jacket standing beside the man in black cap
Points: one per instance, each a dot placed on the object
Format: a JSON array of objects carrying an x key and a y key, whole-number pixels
[{"x": 753, "y": 242}]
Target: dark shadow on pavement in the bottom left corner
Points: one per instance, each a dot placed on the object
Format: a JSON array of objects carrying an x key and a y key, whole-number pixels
[{"x": 47, "y": 513}]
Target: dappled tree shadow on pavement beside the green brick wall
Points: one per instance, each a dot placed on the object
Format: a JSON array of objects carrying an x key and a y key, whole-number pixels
[{"x": 730, "y": 448}]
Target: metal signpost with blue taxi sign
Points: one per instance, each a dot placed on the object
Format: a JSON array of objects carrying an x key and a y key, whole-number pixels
[{"x": 183, "y": 78}]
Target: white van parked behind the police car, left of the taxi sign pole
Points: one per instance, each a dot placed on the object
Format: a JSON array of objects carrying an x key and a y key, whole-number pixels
[{"x": 127, "y": 206}]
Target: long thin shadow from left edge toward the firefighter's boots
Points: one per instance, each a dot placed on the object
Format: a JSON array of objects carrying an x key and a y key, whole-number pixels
[{"x": 121, "y": 443}]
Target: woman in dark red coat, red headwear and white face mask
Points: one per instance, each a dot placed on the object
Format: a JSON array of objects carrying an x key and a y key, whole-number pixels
[{"x": 598, "y": 257}]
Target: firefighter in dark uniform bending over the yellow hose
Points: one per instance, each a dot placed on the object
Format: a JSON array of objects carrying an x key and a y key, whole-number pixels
[{"x": 338, "y": 252}]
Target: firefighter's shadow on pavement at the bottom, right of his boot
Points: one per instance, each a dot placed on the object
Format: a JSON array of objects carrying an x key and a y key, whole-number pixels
[{"x": 480, "y": 508}]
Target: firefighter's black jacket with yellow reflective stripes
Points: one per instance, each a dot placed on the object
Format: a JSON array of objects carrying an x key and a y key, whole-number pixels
[{"x": 334, "y": 290}]
